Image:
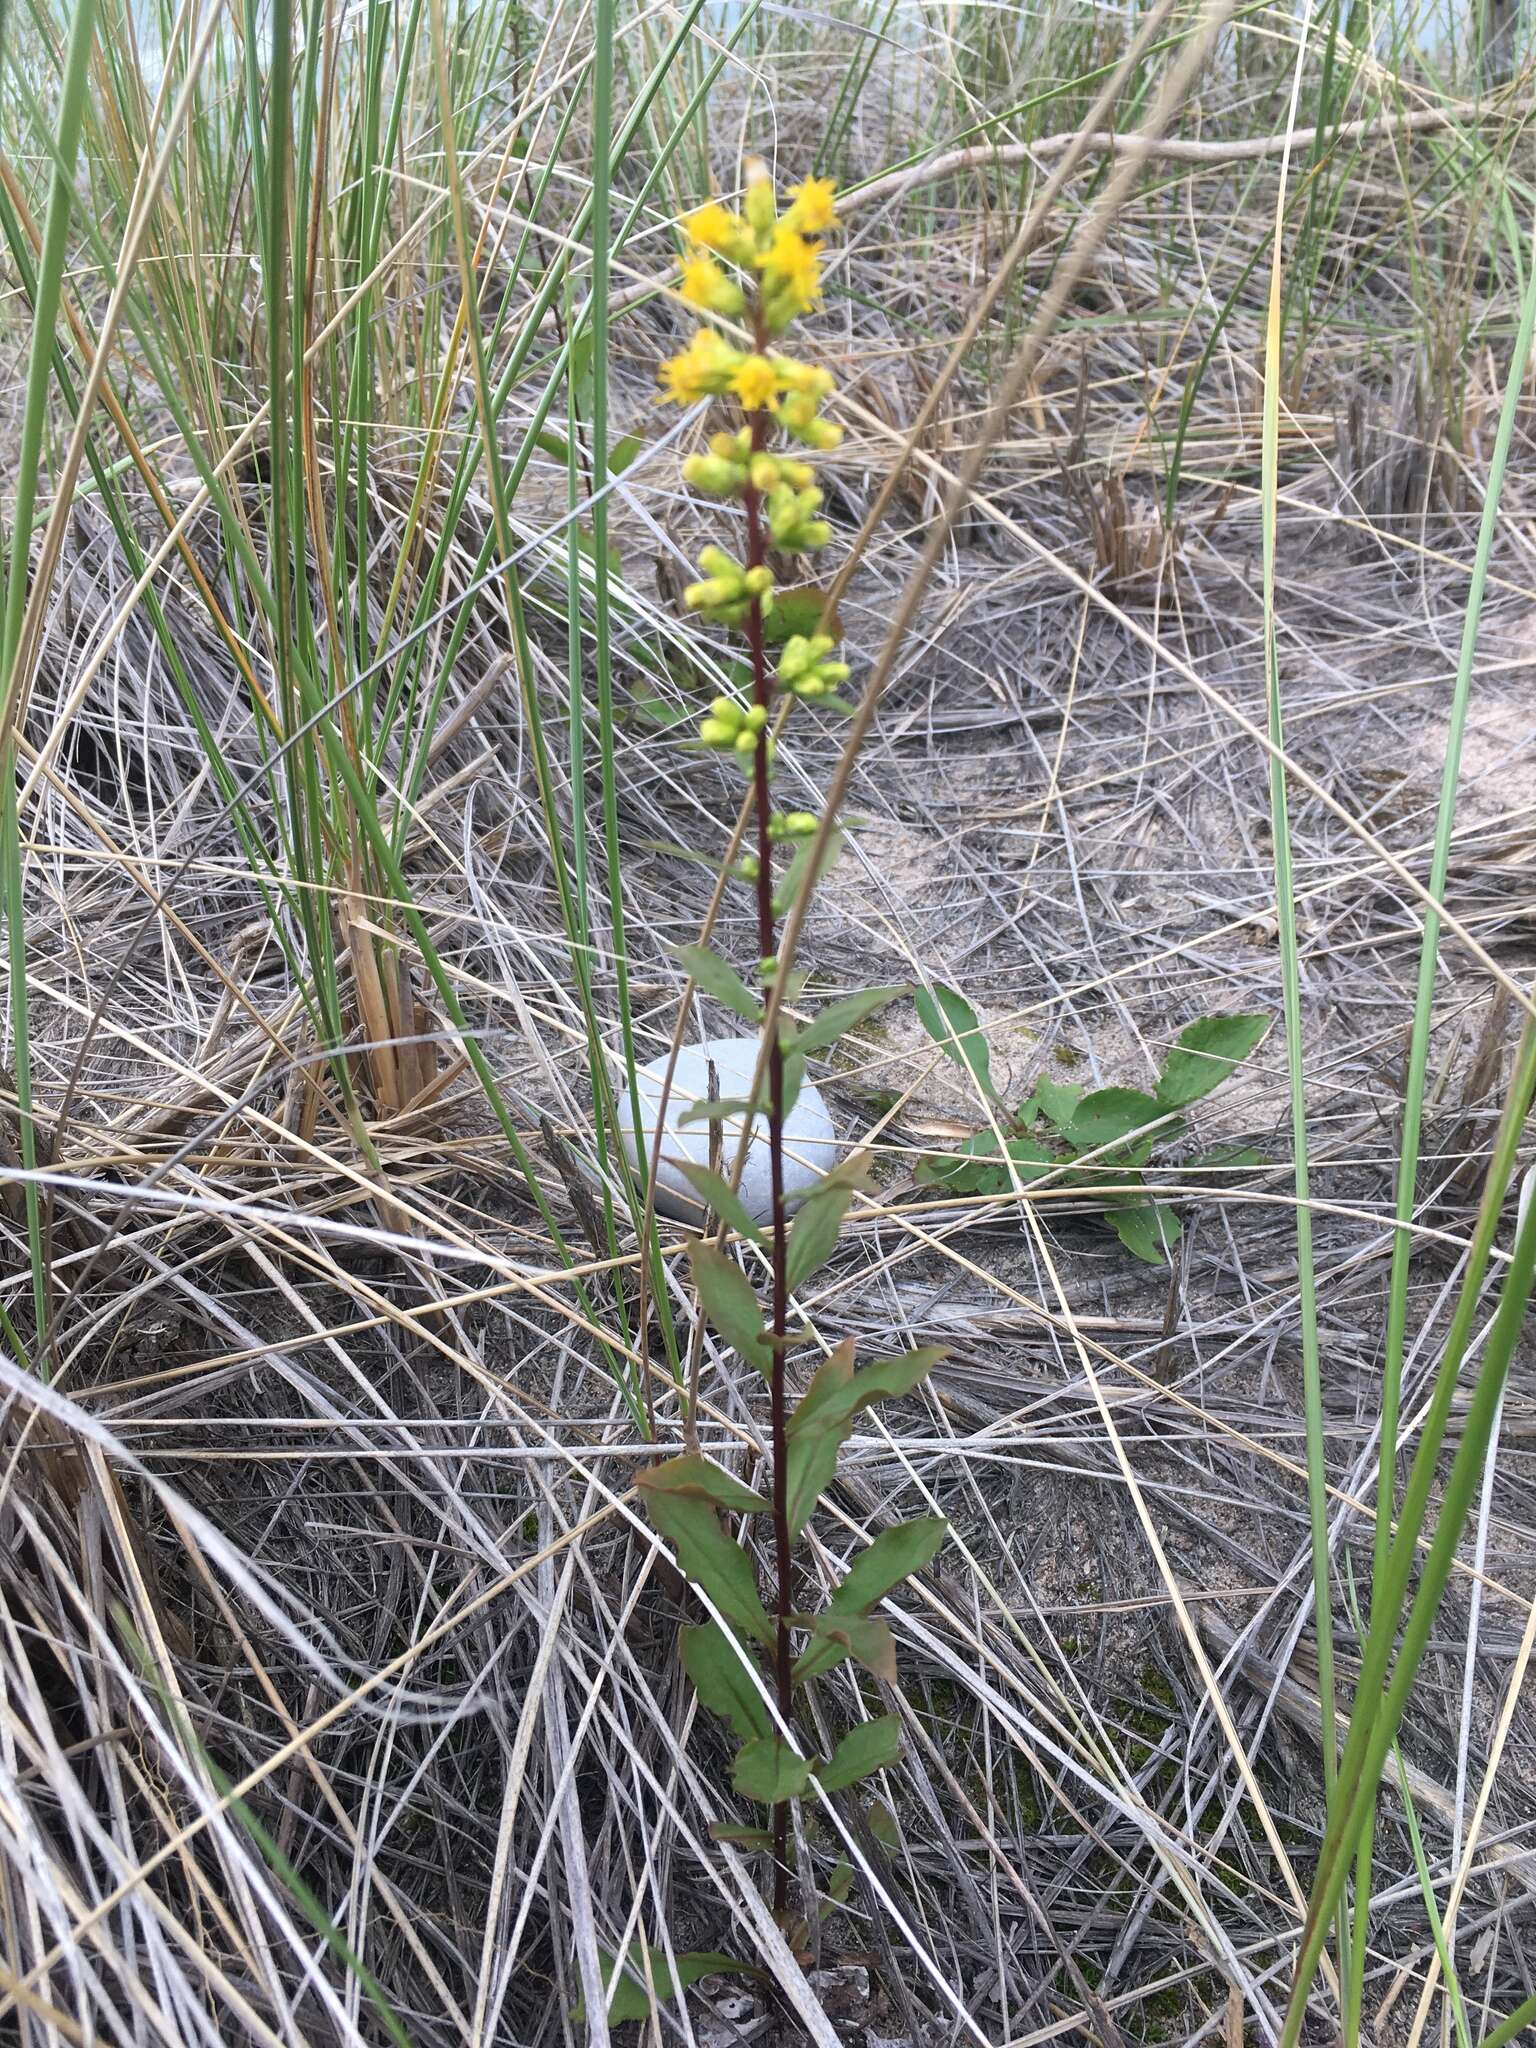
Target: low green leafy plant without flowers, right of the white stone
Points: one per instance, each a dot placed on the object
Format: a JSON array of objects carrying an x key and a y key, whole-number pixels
[{"x": 1062, "y": 1123}]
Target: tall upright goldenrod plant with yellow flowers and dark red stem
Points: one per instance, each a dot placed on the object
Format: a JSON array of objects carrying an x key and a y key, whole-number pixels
[{"x": 753, "y": 1658}]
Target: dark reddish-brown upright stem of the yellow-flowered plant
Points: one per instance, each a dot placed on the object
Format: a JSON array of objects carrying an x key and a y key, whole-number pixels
[{"x": 779, "y": 1418}]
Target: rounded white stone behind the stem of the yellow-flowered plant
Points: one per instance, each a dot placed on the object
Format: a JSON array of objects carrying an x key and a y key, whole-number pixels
[{"x": 810, "y": 1140}]
